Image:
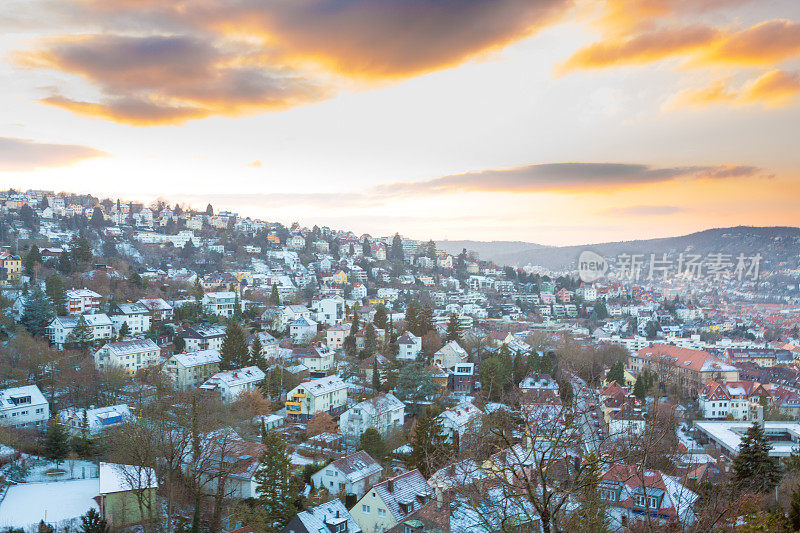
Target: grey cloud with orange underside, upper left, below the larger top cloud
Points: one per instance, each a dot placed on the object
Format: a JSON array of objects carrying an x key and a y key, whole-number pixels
[{"x": 168, "y": 79}]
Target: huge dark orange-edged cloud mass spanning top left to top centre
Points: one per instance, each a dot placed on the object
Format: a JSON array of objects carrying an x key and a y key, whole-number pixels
[{"x": 248, "y": 56}]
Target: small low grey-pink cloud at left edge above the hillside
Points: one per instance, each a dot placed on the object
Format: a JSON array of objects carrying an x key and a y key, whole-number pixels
[{"x": 23, "y": 155}]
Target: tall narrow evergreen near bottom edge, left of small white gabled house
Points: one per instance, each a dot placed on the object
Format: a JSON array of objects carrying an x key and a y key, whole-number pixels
[{"x": 274, "y": 487}]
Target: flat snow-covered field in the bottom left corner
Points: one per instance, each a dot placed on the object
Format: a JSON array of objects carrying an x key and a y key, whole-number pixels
[{"x": 26, "y": 504}]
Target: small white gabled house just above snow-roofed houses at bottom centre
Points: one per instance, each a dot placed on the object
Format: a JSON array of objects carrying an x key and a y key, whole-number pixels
[{"x": 354, "y": 474}]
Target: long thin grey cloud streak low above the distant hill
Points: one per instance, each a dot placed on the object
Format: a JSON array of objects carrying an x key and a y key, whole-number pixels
[{"x": 562, "y": 177}]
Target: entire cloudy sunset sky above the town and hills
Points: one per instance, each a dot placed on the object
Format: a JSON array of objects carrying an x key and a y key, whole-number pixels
[{"x": 551, "y": 121}]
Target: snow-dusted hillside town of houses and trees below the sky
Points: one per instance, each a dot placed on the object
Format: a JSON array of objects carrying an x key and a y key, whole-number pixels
[{"x": 168, "y": 369}]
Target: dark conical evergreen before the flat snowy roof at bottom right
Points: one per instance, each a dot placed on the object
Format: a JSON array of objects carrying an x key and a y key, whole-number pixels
[{"x": 753, "y": 468}]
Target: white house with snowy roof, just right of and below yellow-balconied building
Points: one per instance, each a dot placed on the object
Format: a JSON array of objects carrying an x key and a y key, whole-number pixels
[{"x": 384, "y": 413}]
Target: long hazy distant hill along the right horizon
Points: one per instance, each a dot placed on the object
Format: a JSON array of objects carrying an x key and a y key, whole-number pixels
[{"x": 776, "y": 244}]
